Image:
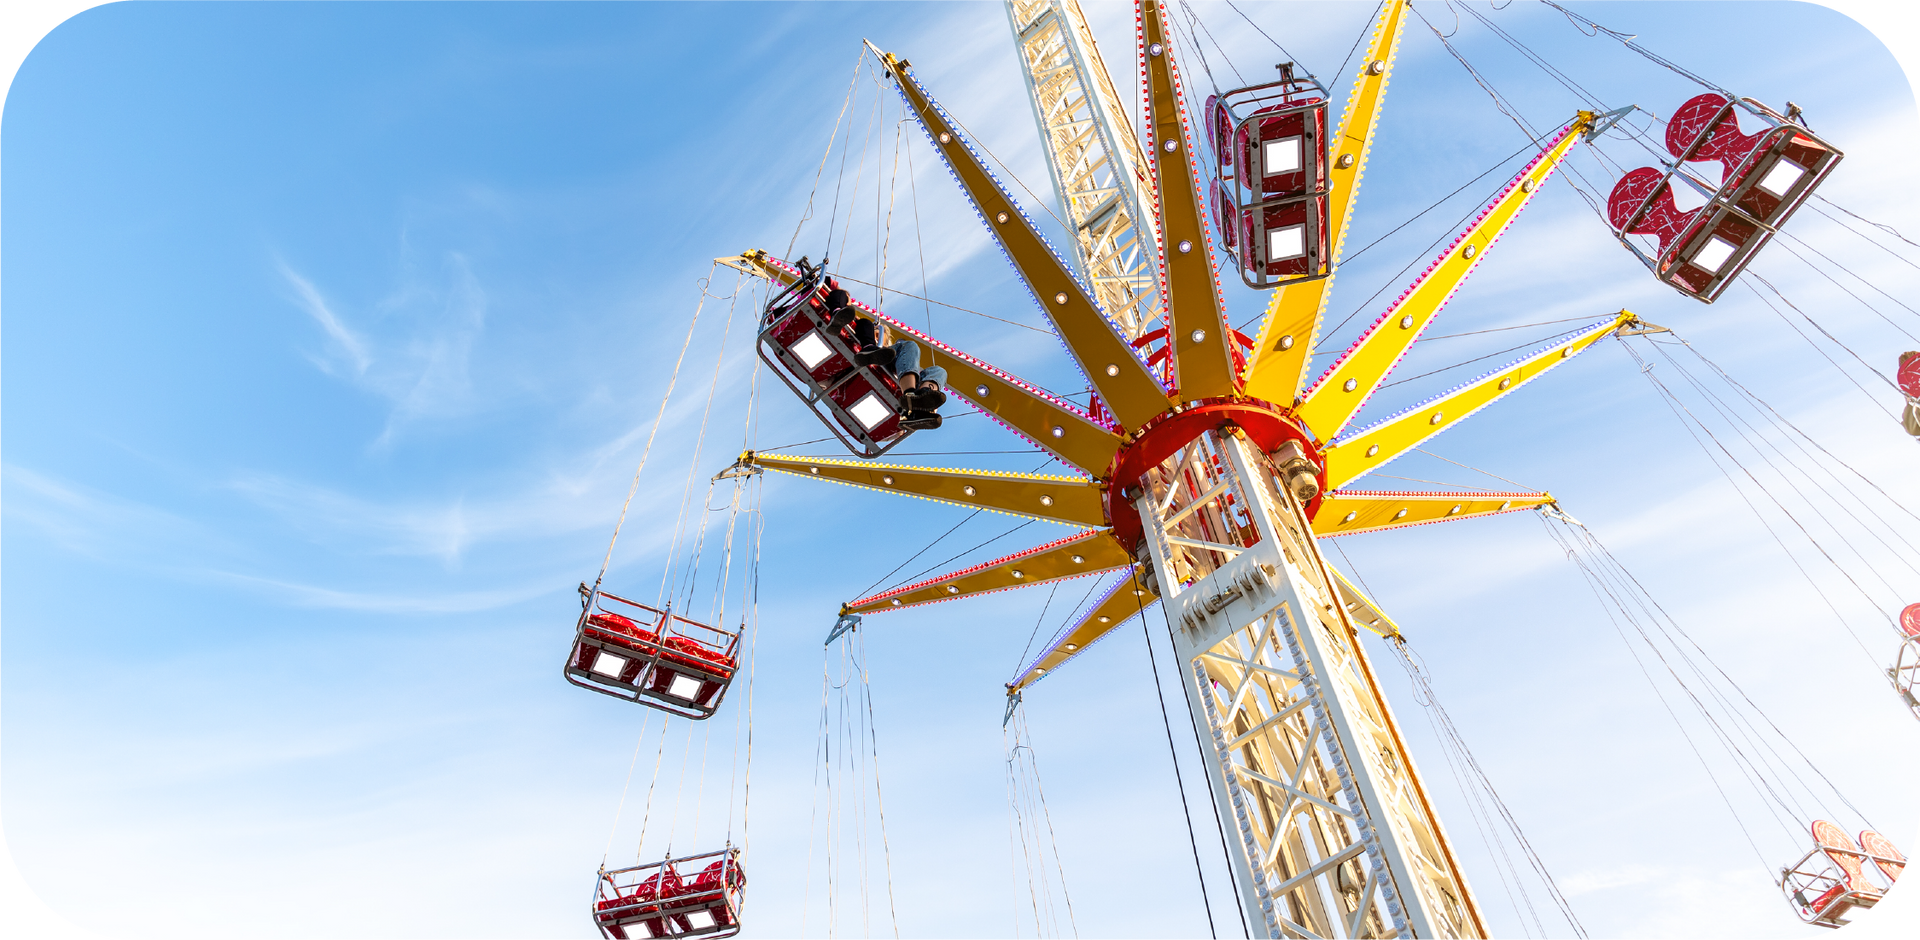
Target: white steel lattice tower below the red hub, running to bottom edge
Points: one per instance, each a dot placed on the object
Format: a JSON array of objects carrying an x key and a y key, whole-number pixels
[{"x": 1332, "y": 834}]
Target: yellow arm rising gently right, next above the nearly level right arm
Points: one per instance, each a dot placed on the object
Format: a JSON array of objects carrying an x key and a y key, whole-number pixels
[{"x": 1376, "y": 446}]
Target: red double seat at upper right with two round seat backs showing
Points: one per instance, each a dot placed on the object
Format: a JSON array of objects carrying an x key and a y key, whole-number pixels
[{"x": 1764, "y": 179}]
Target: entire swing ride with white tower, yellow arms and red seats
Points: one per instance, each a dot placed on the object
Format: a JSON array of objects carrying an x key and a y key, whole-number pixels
[{"x": 1209, "y": 465}]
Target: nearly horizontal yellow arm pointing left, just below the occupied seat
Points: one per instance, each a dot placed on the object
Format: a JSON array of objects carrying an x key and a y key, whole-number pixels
[{"x": 1045, "y": 498}]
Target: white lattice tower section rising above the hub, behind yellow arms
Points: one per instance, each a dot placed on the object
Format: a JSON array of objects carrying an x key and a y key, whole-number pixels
[{"x": 1093, "y": 156}]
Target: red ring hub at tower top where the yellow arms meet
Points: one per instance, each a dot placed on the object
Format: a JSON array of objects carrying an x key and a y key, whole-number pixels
[{"x": 1268, "y": 427}]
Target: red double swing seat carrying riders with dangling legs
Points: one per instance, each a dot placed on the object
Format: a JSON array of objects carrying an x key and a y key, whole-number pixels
[{"x": 859, "y": 404}]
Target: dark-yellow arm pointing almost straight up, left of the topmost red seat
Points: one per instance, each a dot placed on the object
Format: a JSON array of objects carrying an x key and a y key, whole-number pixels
[{"x": 1197, "y": 333}]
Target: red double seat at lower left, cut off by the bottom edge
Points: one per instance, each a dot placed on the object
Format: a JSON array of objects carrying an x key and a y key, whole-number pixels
[{"x": 683, "y": 897}]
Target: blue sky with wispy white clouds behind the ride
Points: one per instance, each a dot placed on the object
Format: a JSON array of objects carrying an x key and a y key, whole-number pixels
[{"x": 335, "y": 335}]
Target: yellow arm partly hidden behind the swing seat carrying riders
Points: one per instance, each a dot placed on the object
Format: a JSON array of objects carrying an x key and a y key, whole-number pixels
[{"x": 1044, "y": 419}]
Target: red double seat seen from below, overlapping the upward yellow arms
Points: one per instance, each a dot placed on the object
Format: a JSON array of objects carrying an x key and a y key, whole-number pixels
[{"x": 1270, "y": 200}]
